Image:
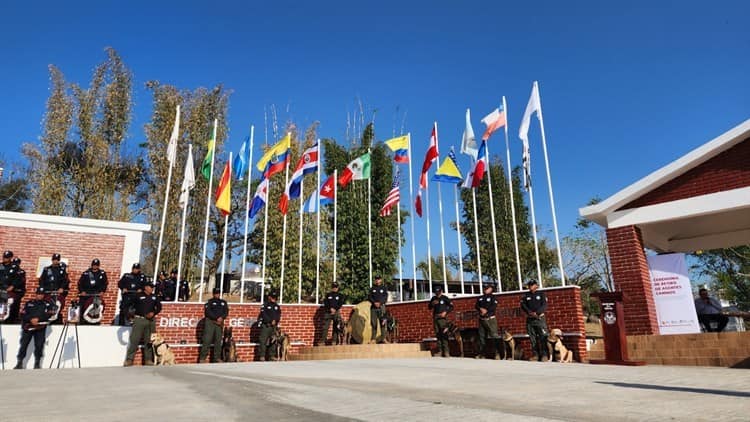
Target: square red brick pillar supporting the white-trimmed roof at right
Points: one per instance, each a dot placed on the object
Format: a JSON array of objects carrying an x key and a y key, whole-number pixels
[{"x": 631, "y": 276}]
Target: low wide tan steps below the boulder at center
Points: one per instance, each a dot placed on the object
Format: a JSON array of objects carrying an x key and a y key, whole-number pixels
[{"x": 361, "y": 351}]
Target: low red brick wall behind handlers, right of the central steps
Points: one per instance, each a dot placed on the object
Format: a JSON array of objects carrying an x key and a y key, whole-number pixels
[{"x": 564, "y": 311}]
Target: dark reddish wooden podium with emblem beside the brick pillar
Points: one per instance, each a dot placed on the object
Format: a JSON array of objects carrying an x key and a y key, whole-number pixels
[{"x": 613, "y": 330}]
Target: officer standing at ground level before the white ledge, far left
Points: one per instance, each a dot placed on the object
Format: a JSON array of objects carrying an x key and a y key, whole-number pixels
[{"x": 36, "y": 313}]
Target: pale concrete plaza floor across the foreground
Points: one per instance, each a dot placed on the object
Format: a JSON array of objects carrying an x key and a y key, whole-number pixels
[{"x": 378, "y": 390}]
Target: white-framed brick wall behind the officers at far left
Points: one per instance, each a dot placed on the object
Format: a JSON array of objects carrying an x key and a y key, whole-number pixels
[{"x": 77, "y": 248}]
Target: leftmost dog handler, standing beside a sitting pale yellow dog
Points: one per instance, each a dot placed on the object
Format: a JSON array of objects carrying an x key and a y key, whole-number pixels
[{"x": 147, "y": 306}]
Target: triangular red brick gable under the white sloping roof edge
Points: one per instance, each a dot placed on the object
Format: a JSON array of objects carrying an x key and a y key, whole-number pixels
[{"x": 728, "y": 170}]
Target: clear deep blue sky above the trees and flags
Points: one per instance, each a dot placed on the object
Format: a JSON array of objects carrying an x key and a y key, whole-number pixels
[{"x": 626, "y": 88}]
